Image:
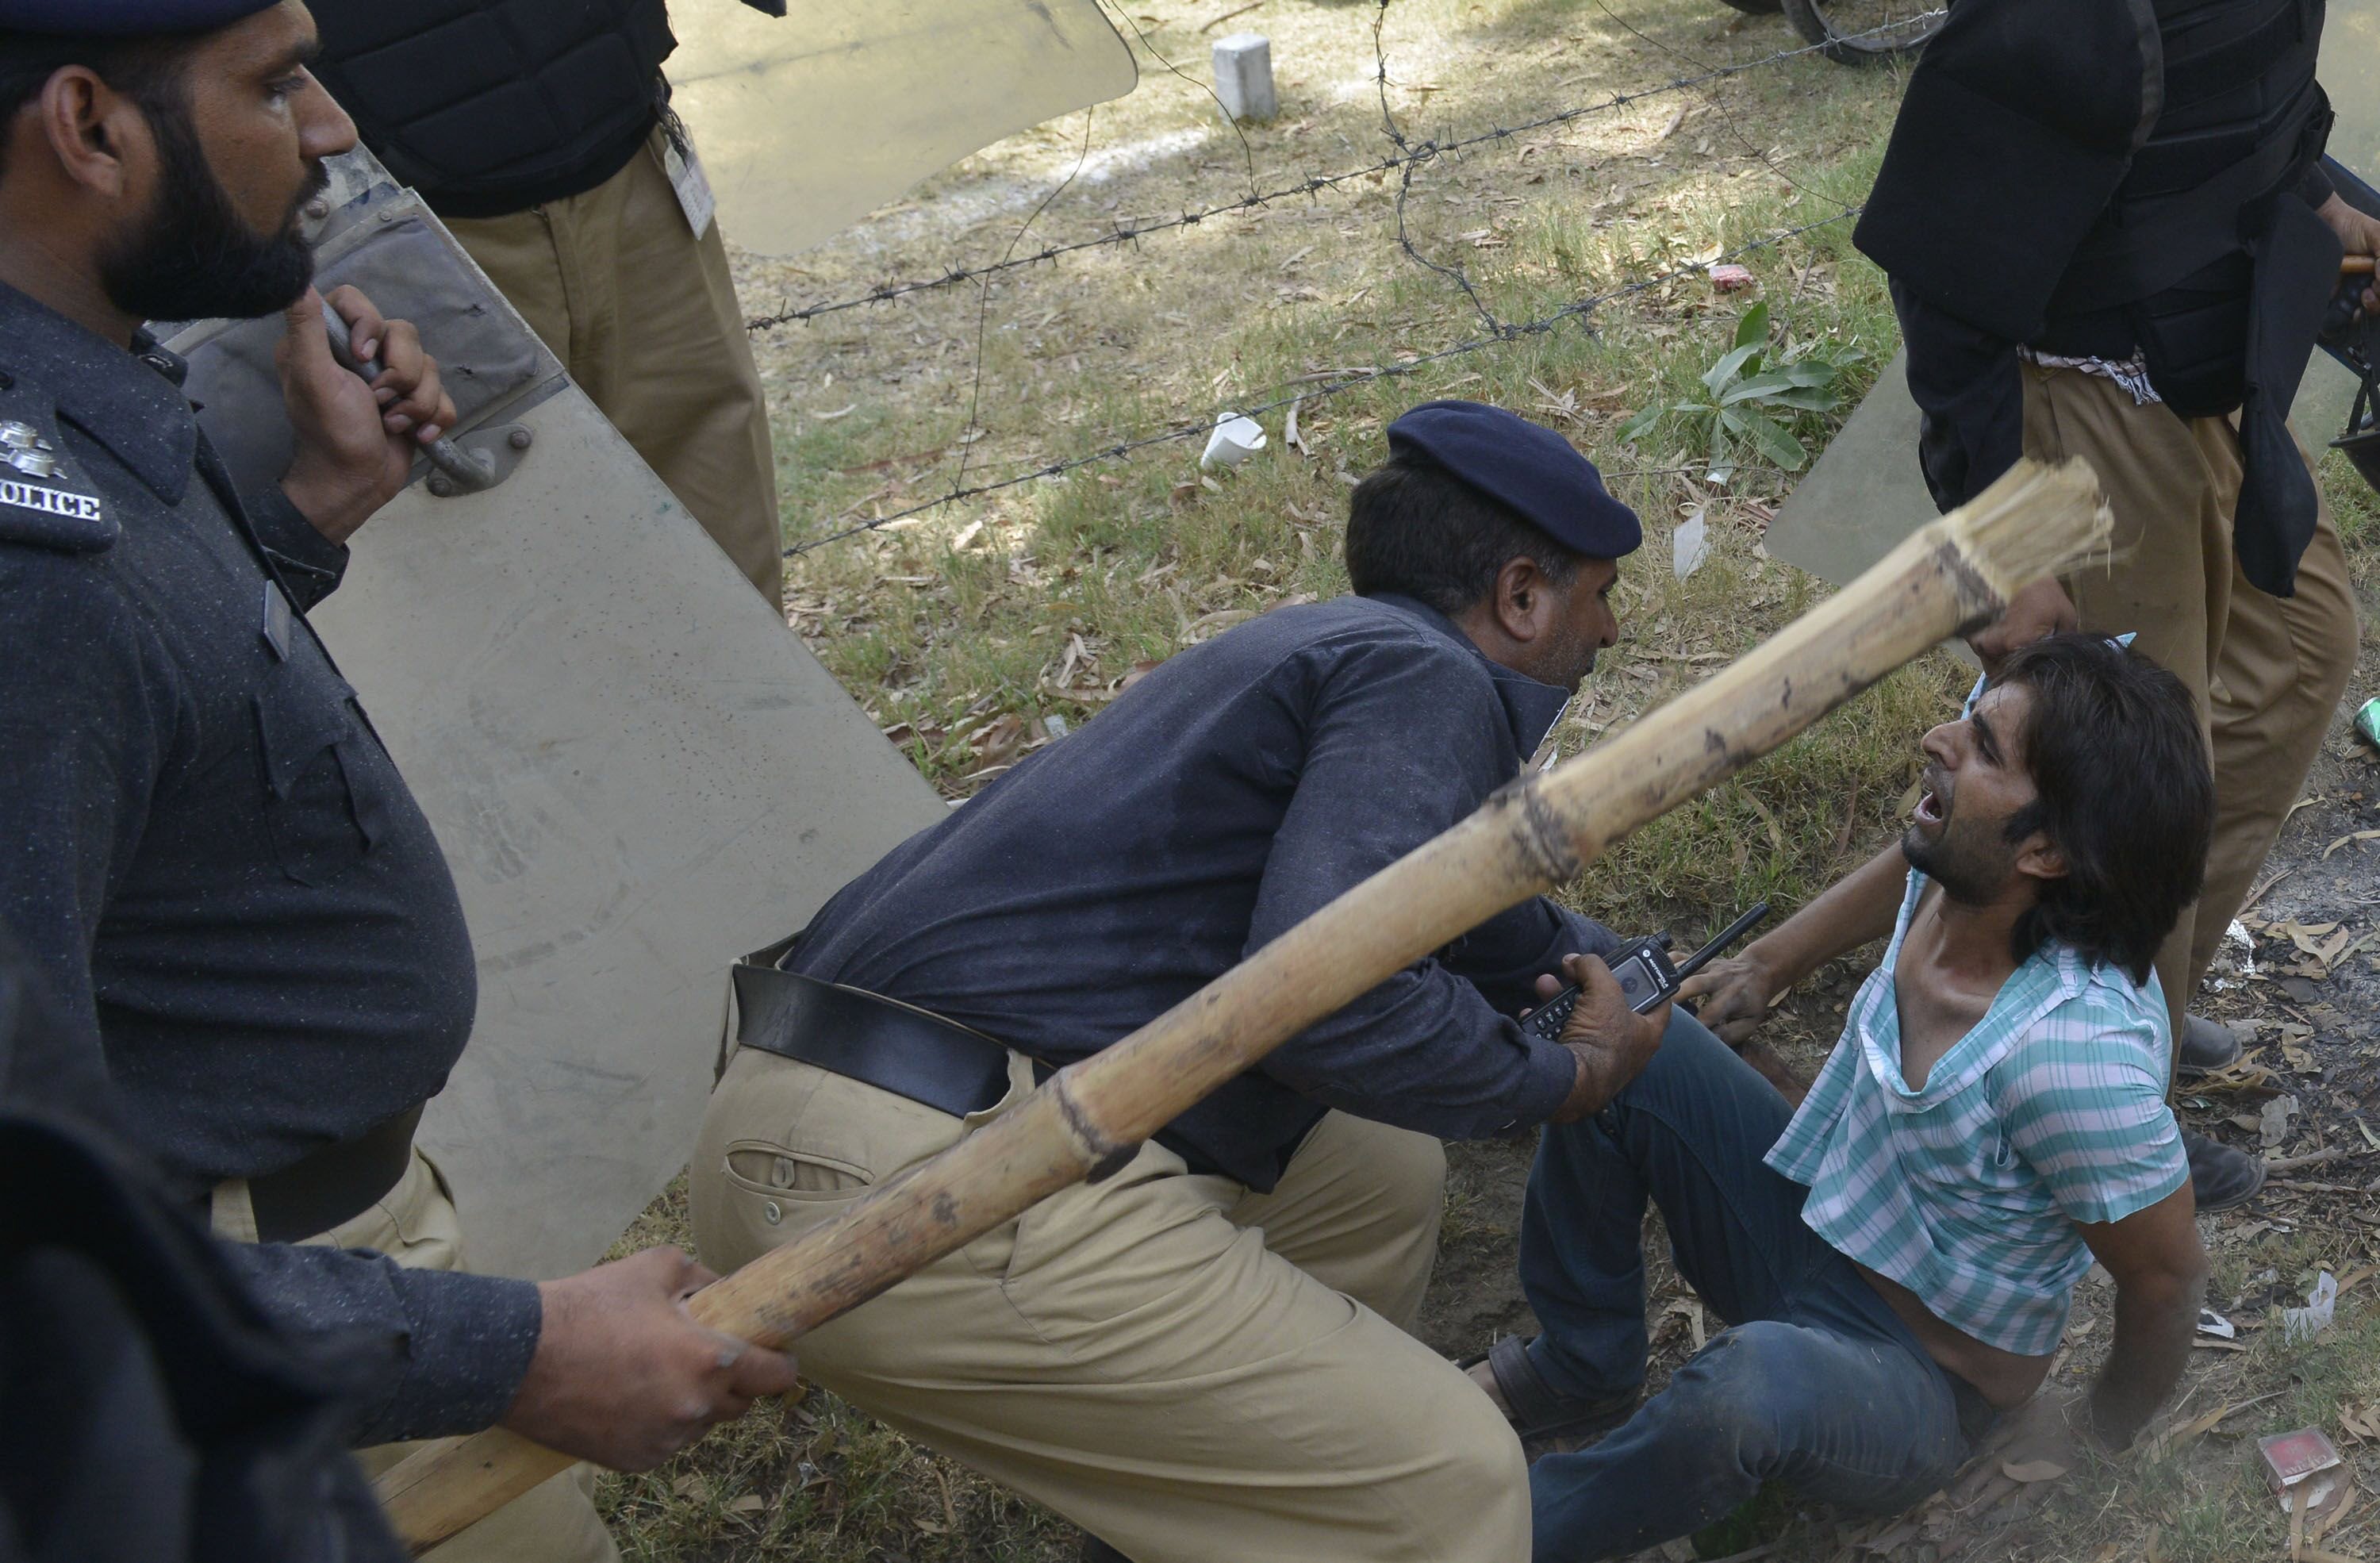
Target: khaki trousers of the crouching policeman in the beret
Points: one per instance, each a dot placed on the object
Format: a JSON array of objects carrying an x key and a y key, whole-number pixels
[{"x": 1179, "y": 1367}]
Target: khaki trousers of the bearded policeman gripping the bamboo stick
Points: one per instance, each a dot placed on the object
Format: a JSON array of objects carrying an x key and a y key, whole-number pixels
[{"x": 418, "y": 1226}]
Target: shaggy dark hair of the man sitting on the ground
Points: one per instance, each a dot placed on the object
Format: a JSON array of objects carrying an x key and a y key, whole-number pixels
[{"x": 2127, "y": 796}]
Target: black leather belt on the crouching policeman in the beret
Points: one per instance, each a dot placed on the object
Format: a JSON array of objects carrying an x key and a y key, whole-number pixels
[{"x": 863, "y": 1036}]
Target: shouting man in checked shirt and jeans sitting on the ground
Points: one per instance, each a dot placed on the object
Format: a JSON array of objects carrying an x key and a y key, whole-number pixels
[{"x": 1900, "y": 1262}]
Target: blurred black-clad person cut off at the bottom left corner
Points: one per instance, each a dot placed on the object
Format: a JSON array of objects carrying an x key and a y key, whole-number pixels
[{"x": 134, "y": 1360}]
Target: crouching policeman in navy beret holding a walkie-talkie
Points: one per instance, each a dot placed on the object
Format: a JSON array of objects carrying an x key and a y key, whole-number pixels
[{"x": 1205, "y": 1355}]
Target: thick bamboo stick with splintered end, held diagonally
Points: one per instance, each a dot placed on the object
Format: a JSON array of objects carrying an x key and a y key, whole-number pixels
[{"x": 1950, "y": 577}]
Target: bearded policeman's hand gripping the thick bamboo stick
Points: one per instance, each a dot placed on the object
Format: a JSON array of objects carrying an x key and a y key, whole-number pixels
[{"x": 625, "y": 1376}]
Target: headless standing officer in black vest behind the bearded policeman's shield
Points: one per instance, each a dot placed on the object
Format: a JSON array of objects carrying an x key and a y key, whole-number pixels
[{"x": 541, "y": 134}]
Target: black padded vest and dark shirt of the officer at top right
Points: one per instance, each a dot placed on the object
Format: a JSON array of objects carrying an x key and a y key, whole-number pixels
[{"x": 2100, "y": 177}]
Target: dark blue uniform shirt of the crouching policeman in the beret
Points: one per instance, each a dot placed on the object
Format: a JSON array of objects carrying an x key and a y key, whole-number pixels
[{"x": 1234, "y": 791}]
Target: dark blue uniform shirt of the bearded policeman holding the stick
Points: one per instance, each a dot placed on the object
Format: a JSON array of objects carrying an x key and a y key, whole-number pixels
[{"x": 213, "y": 860}]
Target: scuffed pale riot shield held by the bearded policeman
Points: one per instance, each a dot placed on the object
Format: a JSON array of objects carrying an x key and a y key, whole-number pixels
[{"x": 632, "y": 762}]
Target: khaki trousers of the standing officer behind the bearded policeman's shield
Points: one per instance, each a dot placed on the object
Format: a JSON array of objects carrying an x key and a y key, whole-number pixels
[{"x": 646, "y": 320}]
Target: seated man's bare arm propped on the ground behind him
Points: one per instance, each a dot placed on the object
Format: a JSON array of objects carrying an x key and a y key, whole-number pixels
[{"x": 2160, "y": 1281}]
